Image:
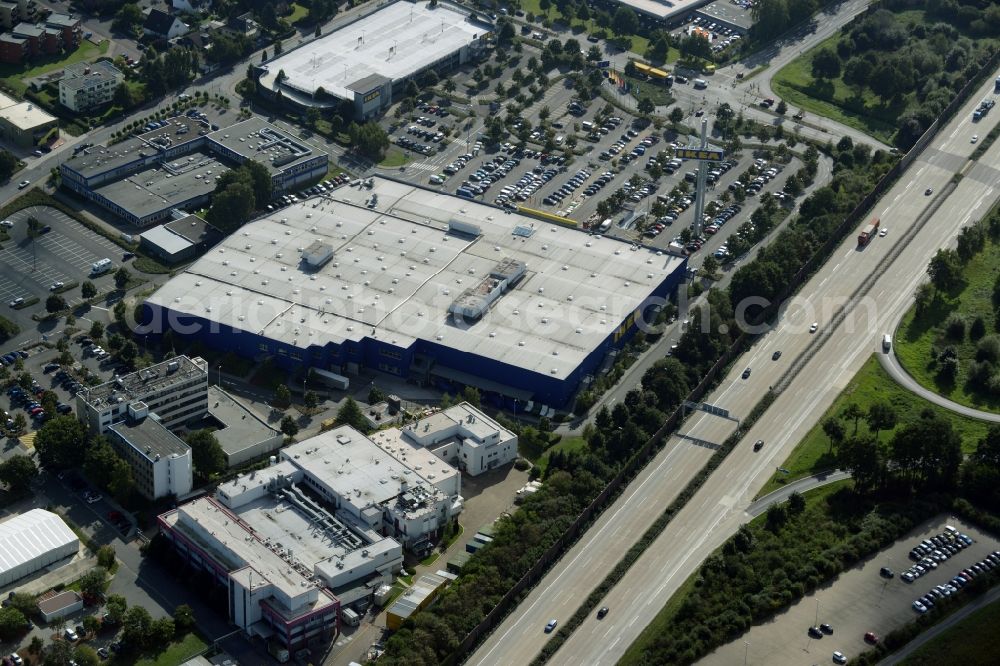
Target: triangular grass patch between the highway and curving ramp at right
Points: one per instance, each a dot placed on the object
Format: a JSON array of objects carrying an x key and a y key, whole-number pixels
[{"x": 870, "y": 385}]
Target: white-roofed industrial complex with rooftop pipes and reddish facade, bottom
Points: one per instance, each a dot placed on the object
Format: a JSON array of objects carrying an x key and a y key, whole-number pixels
[{"x": 323, "y": 525}]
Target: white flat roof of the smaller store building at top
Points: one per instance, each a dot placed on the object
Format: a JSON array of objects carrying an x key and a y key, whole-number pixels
[{"x": 393, "y": 42}]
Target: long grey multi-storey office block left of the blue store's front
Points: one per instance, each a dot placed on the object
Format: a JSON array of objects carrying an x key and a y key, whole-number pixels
[{"x": 175, "y": 390}]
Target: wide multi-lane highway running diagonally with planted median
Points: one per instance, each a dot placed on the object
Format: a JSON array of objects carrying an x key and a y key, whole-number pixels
[{"x": 717, "y": 509}]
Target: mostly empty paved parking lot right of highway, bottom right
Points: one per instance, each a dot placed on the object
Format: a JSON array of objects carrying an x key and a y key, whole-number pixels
[{"x": 859, "y": 601}]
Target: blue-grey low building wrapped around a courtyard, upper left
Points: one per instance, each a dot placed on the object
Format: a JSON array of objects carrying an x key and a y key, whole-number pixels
[{"x": 176, "y": 166}]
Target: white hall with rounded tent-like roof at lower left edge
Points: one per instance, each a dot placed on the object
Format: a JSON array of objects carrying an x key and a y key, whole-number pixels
[{"x": 32, "y": 541}]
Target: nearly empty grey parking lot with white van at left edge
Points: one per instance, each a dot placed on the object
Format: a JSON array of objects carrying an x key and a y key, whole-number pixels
[{"x": 64, "y": 253}]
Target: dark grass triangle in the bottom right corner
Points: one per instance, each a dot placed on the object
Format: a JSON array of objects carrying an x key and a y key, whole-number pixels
[{"x": 969, "y": 642}]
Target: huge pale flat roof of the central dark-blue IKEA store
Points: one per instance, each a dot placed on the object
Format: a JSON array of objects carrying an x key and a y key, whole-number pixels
[{"x": 396, "y": 270}]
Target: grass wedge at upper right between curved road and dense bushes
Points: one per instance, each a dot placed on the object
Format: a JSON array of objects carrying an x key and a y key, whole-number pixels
[{"x": 834, "y": 99}]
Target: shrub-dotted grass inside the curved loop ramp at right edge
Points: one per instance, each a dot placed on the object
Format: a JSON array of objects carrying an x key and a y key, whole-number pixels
[{"x": 916, "y": 336}]
